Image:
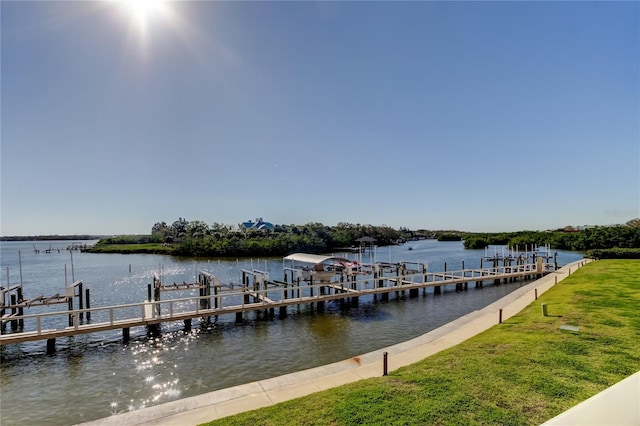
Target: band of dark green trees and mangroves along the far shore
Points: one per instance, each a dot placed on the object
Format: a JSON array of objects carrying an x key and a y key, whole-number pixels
[{"x": 198, "y": 239}]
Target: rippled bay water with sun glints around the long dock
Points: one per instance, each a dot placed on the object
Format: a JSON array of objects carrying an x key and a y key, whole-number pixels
[{"x": 94, "y": 376}]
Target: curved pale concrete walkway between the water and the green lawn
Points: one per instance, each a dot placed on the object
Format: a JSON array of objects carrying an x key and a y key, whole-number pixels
[{"x": 225, "y": 402}]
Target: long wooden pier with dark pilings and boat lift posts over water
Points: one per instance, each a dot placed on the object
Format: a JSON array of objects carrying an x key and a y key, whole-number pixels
[{"x": 256, "y": 293}]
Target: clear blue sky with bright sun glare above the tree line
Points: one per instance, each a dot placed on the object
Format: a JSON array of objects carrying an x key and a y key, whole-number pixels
[{"x": 480, "y": 116}]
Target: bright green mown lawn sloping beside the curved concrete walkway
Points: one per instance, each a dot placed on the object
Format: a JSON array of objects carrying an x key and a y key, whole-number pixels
[{"x": 521, "y": 372}]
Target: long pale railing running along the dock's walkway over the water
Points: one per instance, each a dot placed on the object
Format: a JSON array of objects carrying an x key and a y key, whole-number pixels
[{"x": 237, "y": 300}]
